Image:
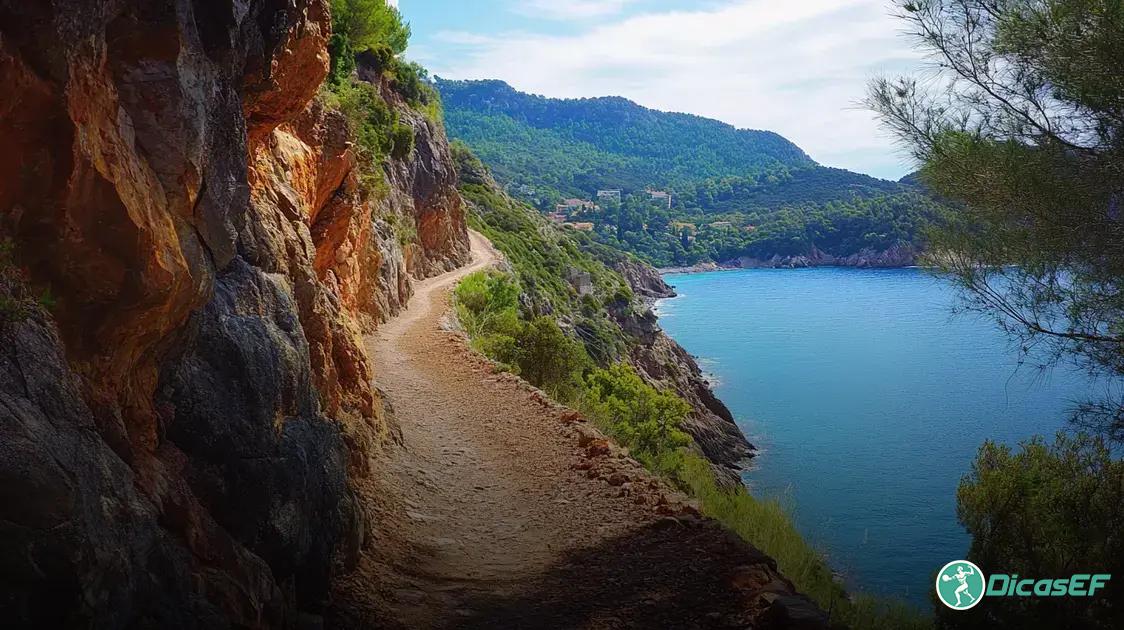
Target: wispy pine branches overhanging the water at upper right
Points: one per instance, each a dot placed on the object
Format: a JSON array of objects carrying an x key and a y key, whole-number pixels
[{"x": 1030, "y": 141}]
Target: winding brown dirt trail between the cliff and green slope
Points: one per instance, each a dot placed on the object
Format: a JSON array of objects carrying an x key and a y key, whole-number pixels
[{"x": 496, "y": 511}]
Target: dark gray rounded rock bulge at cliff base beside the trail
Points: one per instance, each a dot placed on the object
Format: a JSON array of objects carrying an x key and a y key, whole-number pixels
[{"x": 262, "y": 458}]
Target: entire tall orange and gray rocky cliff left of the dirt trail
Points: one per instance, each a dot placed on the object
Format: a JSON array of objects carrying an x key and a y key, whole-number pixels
[{"x": 182, "y": 420}]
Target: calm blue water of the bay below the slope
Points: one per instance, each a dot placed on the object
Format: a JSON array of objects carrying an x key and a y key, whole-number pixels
[{"x": 868, "y": 400}]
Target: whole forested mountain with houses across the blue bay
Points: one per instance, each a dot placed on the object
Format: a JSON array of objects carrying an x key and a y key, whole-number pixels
[{"x": 737, "y": 195}]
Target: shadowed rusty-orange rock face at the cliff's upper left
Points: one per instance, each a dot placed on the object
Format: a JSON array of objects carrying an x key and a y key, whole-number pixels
[{"x": 129, "y": 199}]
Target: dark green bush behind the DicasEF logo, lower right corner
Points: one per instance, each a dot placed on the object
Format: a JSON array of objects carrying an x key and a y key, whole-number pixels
[{"x": 1049, "y": 510}]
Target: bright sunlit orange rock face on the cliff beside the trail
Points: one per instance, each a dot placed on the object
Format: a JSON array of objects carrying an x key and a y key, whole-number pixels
[{"x": 310, "y": 222}]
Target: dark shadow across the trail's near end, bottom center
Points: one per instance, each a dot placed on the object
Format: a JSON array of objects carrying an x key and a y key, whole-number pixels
[{"x": 665, "y": 575}]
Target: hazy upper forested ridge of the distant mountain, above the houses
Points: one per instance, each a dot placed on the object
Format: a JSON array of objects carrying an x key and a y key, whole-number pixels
[{"x": 618, "y": 143}]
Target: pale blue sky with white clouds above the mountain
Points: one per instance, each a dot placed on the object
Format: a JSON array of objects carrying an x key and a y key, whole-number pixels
[{"x": 797, "y": 68}]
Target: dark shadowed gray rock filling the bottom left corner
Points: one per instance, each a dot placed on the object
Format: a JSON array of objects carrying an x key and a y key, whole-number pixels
[{"x": 79, "y": 545}]
